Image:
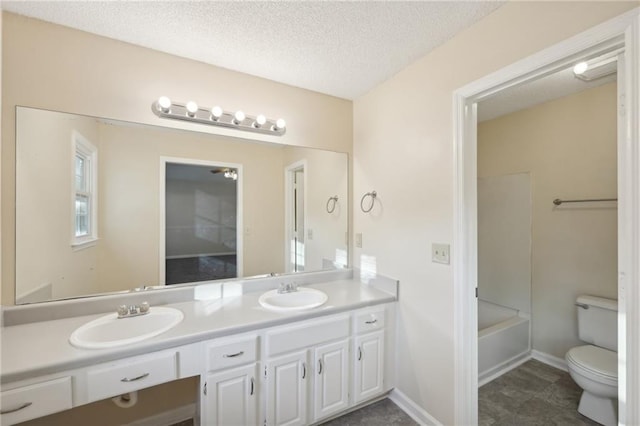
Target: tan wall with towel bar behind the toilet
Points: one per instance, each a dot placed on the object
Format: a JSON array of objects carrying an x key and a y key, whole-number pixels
[{"x": 569, "y": 147}]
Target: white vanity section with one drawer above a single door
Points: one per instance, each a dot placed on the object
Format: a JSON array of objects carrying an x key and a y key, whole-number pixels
[{"x": 230, "y": 392}]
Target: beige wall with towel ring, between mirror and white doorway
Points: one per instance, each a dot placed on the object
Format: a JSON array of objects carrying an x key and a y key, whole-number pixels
[{"x": 403, "y": 149}]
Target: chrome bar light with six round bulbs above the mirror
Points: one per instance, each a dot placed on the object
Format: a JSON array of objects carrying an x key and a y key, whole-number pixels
[{"x": 165, "y": 108}]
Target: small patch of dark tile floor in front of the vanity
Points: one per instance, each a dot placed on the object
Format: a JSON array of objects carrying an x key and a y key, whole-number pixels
[{"x": 381, "y": 413}]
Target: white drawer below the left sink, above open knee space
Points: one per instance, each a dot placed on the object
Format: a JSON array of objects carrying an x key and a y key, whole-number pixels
[{"x": 131, "y": 374}]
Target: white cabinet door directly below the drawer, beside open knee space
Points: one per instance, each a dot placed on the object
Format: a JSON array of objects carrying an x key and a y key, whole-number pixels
[{"x": 231, "y": 397}]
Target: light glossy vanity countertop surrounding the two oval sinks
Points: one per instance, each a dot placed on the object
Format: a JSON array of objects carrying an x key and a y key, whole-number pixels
[{"x": 39, "y": 348}]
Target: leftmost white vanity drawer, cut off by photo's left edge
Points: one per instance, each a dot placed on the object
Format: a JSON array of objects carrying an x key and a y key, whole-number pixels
[{"x": 40, "y": 399}]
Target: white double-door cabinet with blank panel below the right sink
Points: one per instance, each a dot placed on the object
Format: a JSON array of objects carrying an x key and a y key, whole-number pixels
[{"x": 294, "y": 384}]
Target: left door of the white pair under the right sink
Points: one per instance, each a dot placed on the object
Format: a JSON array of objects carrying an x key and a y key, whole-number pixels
[{"x": 287, "y": 390}]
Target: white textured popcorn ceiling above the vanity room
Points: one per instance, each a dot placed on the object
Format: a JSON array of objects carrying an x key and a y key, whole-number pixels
[{"x": 339, "y": 48}]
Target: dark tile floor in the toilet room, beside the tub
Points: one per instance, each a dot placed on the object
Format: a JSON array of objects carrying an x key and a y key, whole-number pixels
[{"x": 532, "y": 394}]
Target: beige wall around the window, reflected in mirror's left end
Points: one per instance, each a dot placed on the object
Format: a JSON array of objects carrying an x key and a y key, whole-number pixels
[{"x": 44, "y": 218}]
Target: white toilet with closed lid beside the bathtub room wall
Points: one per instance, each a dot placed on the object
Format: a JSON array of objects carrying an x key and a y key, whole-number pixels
[{"x": 594, "y": 367}]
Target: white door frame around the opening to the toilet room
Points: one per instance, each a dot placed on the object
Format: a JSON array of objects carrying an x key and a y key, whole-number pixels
[{"x": 622, "y": 31}]
